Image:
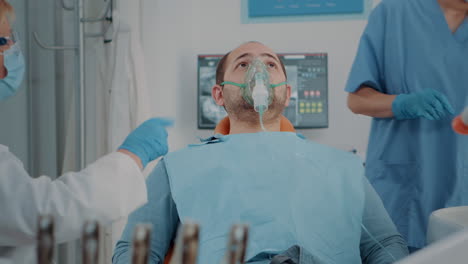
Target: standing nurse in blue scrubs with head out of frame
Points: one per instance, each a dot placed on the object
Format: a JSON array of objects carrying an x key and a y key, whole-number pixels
[{"x": 411, "y": 75}]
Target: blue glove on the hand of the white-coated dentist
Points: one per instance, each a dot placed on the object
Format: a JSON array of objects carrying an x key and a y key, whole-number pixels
[{"x": 149, "y": 140}]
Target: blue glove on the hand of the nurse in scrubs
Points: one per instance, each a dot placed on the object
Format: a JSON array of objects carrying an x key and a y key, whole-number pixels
[{"x": 428, "y": 103}]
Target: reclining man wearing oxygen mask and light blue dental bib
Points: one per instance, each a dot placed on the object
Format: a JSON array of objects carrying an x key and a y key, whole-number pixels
[{"x": 291, "y": 192}]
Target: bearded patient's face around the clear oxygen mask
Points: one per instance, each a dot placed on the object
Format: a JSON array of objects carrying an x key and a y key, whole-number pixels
[{"x": 236, "y": 67}]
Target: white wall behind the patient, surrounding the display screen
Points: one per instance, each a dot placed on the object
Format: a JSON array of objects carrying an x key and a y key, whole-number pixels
[{"x": 174, "y": 32}]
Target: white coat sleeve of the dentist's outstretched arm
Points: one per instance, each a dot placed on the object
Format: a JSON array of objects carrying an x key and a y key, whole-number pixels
[{"x": 106, "y": 190}]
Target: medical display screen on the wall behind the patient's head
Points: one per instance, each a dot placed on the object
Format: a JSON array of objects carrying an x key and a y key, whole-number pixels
[{"x": 307, "y": 74}]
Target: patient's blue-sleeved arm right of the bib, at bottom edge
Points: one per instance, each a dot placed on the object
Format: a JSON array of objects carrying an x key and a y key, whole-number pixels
[{"x": 377, "y": 222}]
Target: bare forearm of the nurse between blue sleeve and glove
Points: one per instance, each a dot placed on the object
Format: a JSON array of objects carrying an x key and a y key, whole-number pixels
[{"x": 370, "y": 102}]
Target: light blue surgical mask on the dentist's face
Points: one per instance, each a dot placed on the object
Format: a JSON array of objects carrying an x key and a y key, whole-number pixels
[{"x": 13, "y": 61}]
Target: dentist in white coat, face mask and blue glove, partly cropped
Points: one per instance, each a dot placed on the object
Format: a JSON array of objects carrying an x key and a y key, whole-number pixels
[{"x": 106, "y": 190}]
